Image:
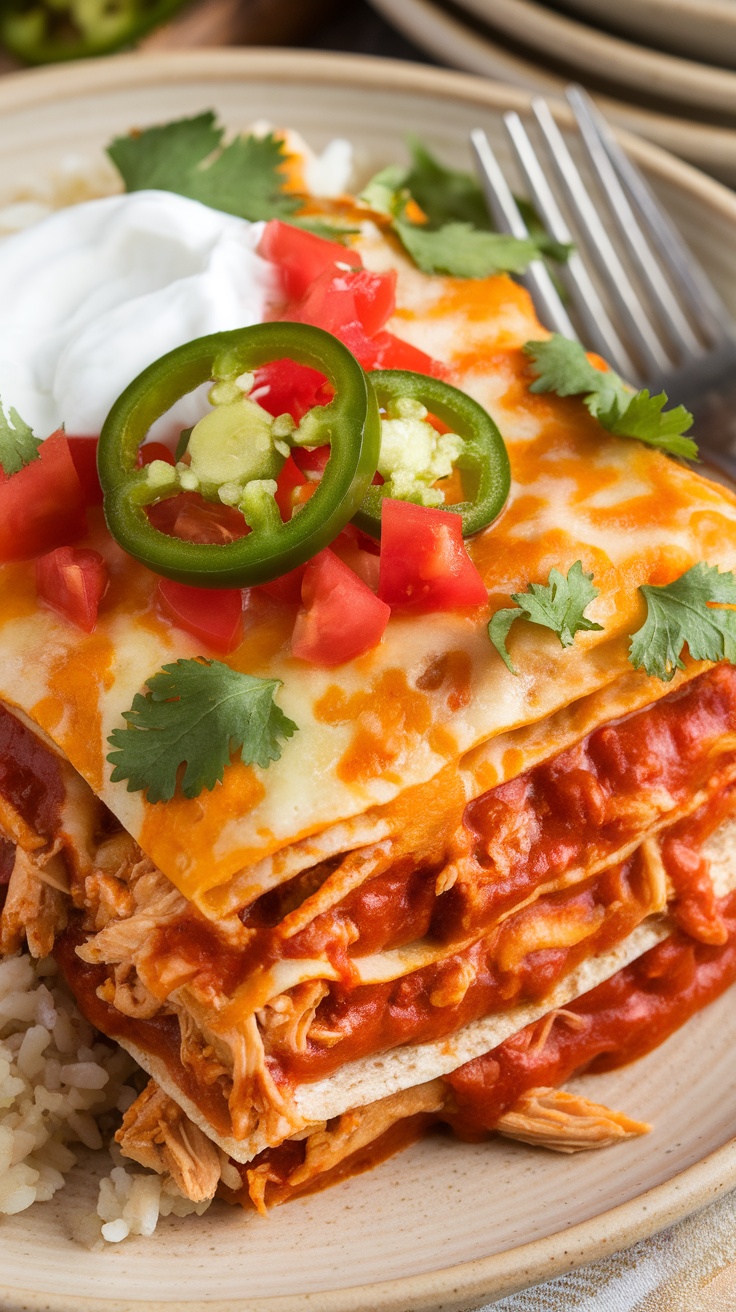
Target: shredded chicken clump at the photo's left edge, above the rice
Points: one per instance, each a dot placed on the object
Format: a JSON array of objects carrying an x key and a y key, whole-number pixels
[{"x": 36, "y": 907}]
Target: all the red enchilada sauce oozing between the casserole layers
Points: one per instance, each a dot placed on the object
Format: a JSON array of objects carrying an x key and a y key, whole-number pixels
[{"x": 565, "y": 810}]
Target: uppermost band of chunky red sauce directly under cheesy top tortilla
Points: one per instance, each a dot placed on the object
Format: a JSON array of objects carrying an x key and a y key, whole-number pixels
[{"x": 567, "y": 813}]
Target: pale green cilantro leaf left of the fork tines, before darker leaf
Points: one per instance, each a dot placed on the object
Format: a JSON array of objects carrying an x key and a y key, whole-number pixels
[{"x": 464, "y": 251}]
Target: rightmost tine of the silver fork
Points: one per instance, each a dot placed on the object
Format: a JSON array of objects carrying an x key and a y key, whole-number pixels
[{"x": 689, "y": 277}]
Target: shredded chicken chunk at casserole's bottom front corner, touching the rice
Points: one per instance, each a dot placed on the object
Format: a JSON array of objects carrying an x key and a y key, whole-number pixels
[{"x": 161, "y": 1137}]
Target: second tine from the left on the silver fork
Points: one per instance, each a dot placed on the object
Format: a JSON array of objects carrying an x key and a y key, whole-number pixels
[{"x": 599, "y": 329}]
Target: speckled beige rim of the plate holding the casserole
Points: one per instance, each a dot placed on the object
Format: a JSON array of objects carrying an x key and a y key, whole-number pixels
[{"x": 470, "y": 1284}]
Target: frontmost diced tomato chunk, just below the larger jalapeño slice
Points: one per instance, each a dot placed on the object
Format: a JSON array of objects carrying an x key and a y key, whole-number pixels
[{"x": 340, "y": 619}]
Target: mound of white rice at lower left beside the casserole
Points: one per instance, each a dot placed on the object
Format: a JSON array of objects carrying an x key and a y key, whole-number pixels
[{"x": 60, "y": 1086}]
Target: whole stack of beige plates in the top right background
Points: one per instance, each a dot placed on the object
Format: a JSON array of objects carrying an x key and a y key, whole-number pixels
[{"x": 685, "y": 104}]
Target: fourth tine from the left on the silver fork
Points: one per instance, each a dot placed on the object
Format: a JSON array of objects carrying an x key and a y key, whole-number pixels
[{"x": 641, "y": 253}]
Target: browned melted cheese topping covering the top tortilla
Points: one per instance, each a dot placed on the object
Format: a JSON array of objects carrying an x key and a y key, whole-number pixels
[{"x": 378, "y": 726}]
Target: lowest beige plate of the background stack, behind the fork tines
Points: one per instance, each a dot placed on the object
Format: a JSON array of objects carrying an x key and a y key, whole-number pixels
[{"x": 456, "y": 43}]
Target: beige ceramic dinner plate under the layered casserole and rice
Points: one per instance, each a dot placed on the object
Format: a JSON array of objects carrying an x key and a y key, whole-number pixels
[{"x": 444, "y": 1226}]
